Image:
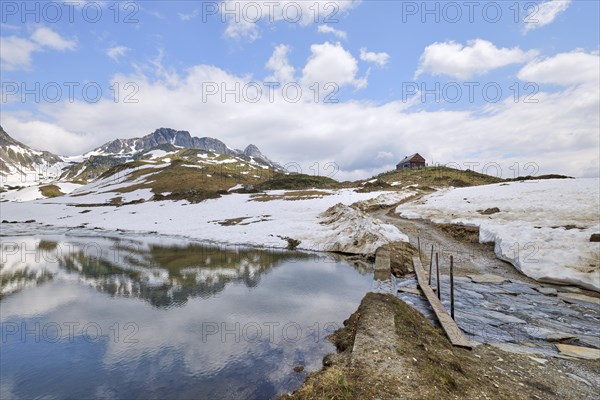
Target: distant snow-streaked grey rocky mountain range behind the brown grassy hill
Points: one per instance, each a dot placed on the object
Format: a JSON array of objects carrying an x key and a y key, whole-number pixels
[{"x": 23, "y": 167}]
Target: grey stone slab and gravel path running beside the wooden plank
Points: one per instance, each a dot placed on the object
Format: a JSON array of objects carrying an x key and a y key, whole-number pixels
[{"x": 507, "y": 309}]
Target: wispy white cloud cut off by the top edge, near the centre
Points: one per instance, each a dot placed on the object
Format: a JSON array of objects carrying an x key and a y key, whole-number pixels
[{"x": 243, "y": 17}]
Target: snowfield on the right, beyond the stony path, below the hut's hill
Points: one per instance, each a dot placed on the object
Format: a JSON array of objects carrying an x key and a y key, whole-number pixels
[{"x": 543, "y": 227}]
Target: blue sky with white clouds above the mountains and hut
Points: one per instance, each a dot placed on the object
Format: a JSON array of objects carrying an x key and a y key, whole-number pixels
[{"x": 337, "y": 88}]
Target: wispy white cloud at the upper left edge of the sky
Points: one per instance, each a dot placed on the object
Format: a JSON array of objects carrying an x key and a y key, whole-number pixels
[{"x": 17, "y": 52}]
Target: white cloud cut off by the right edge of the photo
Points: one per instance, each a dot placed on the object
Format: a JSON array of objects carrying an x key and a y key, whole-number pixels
[{"x": 564, "y": 69}]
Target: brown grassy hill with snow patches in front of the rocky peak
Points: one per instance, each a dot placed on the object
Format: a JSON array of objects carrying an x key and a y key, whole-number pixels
[{"x": 193, "y": 175}]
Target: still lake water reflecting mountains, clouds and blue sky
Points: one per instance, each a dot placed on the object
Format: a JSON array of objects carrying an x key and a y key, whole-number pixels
[{"x": 154, "y": 318}]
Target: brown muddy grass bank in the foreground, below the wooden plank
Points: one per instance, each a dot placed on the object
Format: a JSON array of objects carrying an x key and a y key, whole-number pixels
[{"x": 403, "y": 356}]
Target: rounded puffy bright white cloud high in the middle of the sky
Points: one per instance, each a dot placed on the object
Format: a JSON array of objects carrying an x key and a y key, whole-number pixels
[{"x": 331, "y": 63}]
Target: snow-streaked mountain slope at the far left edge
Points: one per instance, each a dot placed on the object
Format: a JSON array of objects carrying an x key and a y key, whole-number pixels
[{"x": 22, "y": 166}]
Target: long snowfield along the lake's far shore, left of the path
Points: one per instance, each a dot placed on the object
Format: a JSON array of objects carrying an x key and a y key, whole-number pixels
[{"x": 231, "y": 219}]
